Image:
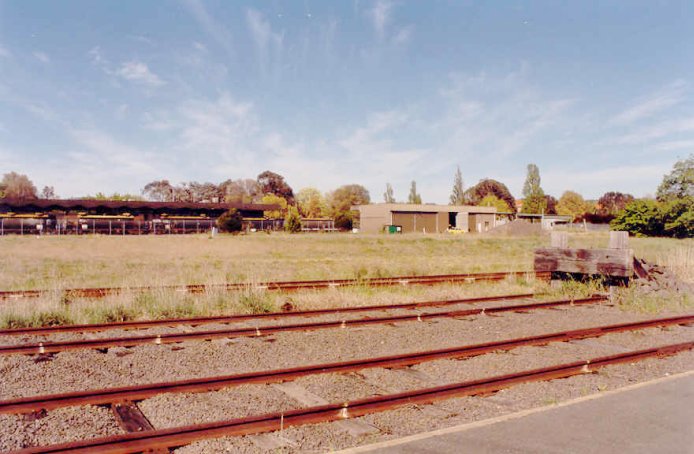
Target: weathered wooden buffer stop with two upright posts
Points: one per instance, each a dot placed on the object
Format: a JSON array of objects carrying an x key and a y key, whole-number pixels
[{"x": 615, "y": 264}]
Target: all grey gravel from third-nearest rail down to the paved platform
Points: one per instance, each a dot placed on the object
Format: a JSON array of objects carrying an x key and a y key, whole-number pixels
[{"x": 86, "y": 369}]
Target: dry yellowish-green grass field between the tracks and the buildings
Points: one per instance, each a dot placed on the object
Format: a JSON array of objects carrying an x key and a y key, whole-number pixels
[{"x": 56, "y": 263}]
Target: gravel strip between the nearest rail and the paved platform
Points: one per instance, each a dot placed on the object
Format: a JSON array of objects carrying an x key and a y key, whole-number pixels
[{"x": 415, "y": 419}]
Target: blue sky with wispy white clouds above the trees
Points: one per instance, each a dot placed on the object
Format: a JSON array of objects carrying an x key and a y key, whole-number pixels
[{"x": 107, "y": 96}]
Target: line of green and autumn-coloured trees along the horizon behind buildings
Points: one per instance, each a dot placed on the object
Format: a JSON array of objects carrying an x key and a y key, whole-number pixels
[{"x": 671, "y": 213}]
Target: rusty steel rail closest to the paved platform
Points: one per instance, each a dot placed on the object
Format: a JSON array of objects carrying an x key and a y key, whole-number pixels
[{"x": 180, "y": 436}]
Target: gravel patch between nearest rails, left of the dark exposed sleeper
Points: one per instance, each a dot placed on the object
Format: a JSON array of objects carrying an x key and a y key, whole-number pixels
[{"x": 58, "y": 426}]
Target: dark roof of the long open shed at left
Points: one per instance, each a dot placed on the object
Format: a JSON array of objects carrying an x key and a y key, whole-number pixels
[{"x": 89, "y": 204}]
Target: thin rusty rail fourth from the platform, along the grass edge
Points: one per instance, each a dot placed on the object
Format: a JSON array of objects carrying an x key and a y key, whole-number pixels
[{"x": 194, "y": 321}]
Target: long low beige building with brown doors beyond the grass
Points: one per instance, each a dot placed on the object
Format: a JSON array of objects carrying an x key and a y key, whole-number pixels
[{"x": 425, "y": 218}]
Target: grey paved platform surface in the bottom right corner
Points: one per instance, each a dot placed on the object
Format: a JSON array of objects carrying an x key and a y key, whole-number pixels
[{"x": 655, "y": 418}]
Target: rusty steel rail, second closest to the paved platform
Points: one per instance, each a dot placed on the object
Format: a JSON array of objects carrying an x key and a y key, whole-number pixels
[{"x": 140, "y": 392}]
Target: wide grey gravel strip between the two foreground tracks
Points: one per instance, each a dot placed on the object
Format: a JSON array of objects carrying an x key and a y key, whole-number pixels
[{"x": 83, "y": 369}]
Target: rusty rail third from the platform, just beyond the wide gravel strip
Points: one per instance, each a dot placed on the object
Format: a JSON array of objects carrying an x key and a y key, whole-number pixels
[{"x": 131, "y": 341}]
